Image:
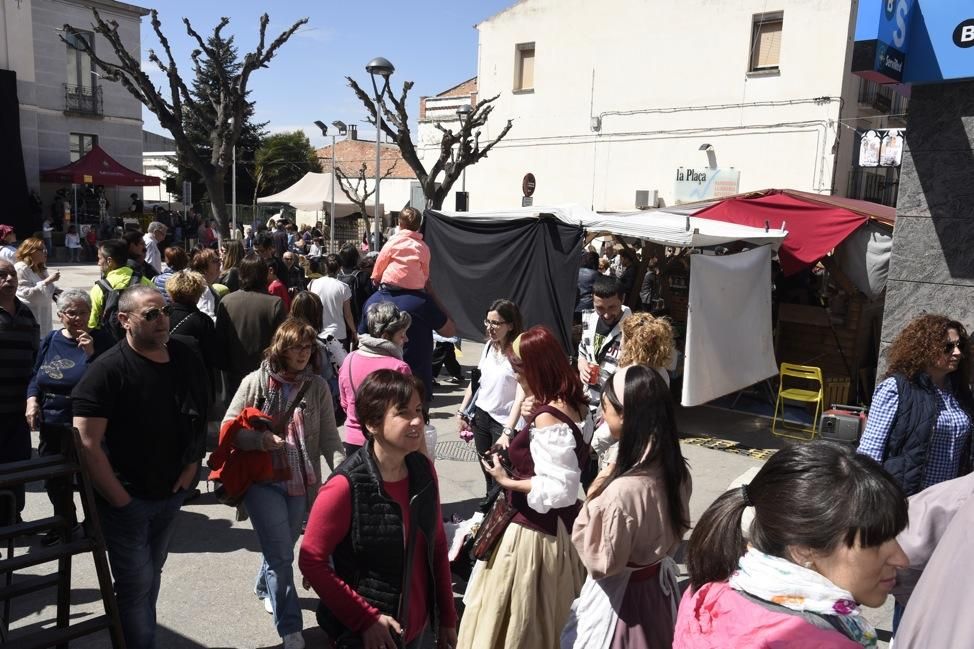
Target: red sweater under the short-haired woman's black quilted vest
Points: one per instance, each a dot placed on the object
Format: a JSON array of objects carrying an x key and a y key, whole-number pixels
[{"x": 330, "y": 522}]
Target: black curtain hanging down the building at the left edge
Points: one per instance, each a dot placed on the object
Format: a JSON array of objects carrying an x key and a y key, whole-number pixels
[{"x": 13, "y": 176}]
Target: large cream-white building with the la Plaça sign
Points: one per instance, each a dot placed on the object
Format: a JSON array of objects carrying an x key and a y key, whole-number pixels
[{"x": 618, "y": 96}]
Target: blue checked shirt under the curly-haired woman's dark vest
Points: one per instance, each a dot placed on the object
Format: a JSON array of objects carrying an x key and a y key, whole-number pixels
[{"x": 947, "y": 442}]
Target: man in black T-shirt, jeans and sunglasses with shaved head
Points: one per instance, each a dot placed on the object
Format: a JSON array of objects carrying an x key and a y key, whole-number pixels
[{"x": 144, "y": 402}]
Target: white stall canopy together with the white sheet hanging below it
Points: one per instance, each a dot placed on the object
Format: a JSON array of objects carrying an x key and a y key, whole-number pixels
[{"x": 729, "y": 339}]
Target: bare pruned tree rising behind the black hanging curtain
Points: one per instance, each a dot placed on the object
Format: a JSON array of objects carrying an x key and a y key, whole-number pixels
[{"x": 395, "y": 124}]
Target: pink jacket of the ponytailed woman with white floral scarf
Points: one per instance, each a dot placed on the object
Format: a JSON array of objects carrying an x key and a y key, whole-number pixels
[{"x": 718, "y": 616}]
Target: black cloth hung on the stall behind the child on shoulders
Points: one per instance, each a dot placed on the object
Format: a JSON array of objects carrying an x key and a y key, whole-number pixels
[{"x": 532, "y": 261}]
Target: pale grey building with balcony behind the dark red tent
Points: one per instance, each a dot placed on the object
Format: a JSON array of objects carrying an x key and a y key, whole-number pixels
[{"x": 65, "y": 105}]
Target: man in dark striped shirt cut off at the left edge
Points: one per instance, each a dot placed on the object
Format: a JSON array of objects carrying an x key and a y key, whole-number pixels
[{"x": 19, "y": 340}]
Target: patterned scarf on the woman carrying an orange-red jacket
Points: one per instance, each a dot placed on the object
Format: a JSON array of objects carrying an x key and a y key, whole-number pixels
[{"x": 293, "y": 456}]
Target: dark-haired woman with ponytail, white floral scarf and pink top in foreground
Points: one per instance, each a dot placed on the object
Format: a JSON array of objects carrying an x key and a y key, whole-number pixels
[{"x": 818, "y": 541}]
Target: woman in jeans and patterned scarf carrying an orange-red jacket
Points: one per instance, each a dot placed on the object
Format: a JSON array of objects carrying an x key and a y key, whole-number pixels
[{"x": 287, "y": 390}]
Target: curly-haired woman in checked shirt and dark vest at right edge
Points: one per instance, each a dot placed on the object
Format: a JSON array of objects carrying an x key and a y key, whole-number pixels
[{"x": 919, "y": 425}]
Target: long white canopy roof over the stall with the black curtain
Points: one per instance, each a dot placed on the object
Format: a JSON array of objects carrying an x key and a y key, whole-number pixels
[{"x": 658, "y": 226}]
